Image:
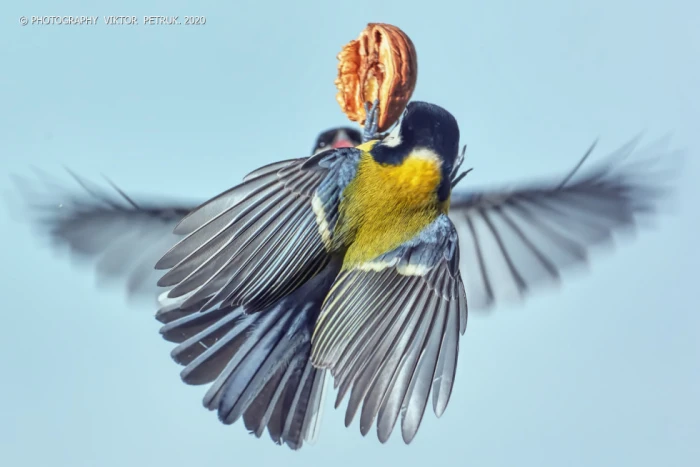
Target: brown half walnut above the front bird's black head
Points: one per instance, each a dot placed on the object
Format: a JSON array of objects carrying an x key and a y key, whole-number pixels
[{"x": 380, "y": 64}]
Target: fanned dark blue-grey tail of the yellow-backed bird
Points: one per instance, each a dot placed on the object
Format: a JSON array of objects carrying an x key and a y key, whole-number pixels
[{"x": 258, "y": 364}]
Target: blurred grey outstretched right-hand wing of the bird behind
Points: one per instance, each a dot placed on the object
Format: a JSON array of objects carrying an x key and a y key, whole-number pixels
[{"x": 514, "y": 240}]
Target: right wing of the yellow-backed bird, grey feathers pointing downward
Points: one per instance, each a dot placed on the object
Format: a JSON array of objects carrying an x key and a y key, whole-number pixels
[{"x": 389, "y": 331}]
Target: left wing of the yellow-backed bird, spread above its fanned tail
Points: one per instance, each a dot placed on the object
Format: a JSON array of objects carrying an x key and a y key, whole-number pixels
[{"x": 257, "y": 242}]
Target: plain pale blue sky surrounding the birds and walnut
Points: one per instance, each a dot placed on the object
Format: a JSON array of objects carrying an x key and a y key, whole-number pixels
[{"x": 605, "y": 371}]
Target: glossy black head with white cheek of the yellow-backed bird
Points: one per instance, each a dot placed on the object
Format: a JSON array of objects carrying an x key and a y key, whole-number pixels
[{"x": 423, "y": 125}]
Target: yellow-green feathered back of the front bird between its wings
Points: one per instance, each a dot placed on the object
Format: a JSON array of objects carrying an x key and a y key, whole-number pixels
[{"x": 386, "y": 205}]
